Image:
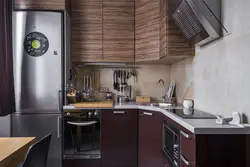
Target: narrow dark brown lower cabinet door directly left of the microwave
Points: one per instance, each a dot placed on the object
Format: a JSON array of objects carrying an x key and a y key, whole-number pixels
[{"x": 150, "y": 139}]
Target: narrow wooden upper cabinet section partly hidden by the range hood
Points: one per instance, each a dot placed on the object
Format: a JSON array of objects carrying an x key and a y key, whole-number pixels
[{"x": 173, "y": 45}]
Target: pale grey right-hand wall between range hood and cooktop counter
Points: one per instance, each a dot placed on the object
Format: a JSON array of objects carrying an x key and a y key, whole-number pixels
[{"x": 218, "y": 77}]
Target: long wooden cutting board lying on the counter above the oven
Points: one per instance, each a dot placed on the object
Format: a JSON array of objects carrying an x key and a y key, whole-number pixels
[{"x": 100, "y": 104}]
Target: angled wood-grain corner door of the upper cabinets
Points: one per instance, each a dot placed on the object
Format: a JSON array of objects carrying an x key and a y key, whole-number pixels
[{"x": 147, "y": 30}]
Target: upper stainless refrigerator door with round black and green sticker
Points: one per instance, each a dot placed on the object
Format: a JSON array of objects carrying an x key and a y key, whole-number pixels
[{"x": 38, "y": 61}]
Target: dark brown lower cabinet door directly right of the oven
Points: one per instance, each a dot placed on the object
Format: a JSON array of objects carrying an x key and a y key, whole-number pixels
[{"x": 119, "y": 138}]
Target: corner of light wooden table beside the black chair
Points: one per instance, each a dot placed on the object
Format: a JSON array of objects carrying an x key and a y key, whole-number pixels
[{"x": 13, "y": 150}]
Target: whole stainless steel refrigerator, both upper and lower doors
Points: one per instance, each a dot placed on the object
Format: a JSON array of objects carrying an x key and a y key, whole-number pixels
[{"x": 41, "y": 56}]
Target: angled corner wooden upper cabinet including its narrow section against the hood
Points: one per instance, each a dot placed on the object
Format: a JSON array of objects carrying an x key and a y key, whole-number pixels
[{"x": 156, "y": 35}]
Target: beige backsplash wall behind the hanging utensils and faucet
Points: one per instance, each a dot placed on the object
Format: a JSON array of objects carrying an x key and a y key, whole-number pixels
[{"x": 148, "y": 76}]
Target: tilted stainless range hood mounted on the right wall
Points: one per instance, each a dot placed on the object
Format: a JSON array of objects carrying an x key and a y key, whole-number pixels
[{"x": 199, "y": 20}]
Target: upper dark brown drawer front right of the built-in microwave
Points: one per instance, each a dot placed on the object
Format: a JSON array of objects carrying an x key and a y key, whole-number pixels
[{"x": 187, "y": 146}]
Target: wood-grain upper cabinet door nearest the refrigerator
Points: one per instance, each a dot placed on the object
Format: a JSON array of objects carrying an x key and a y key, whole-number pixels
[{"x": 86, "y": 18}]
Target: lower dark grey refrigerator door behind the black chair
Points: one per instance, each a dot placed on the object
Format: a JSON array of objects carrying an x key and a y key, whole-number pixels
[{"x": 29, "y": 125}]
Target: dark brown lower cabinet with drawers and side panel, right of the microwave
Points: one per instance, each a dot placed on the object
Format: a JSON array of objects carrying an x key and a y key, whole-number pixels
[{"x": 209, "y": 150}]
